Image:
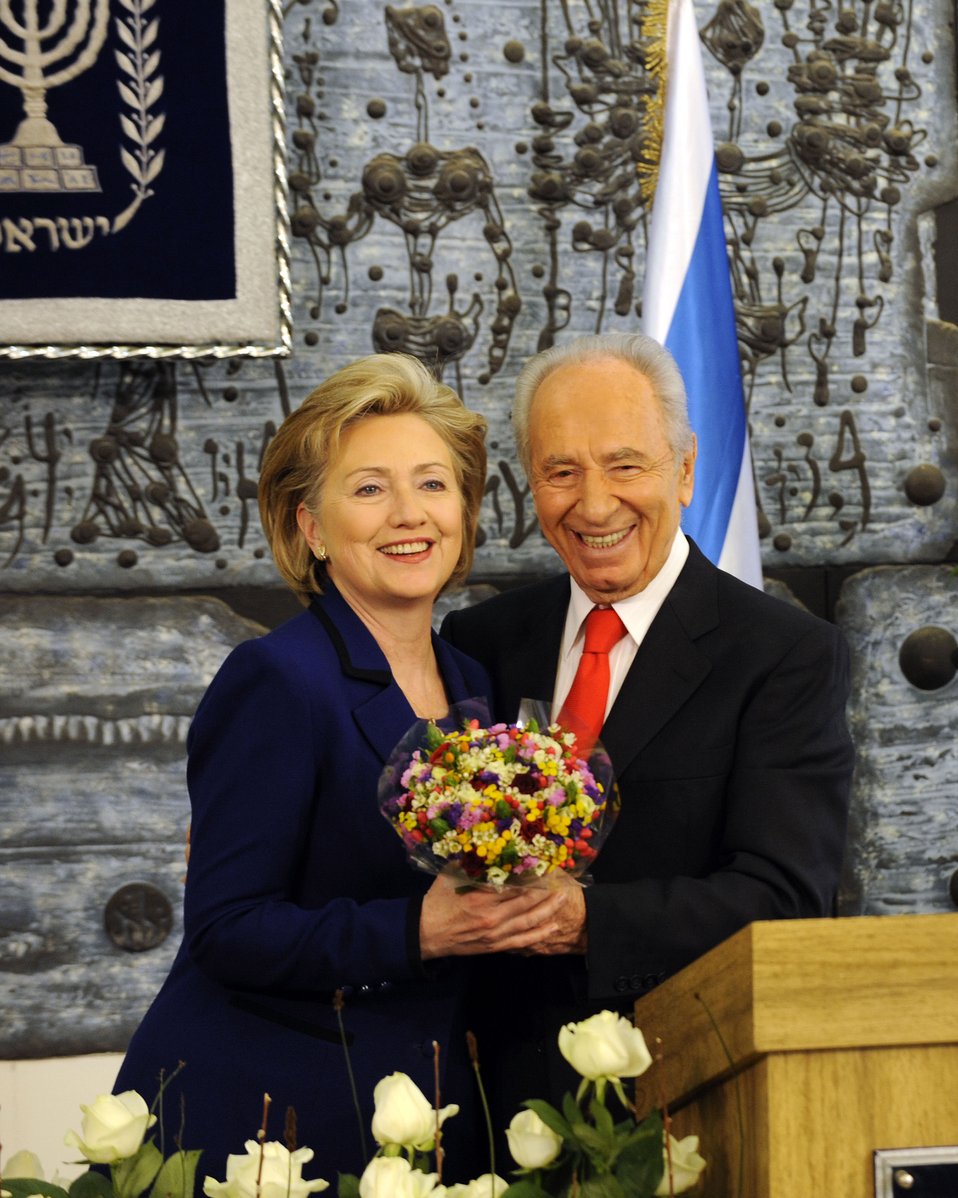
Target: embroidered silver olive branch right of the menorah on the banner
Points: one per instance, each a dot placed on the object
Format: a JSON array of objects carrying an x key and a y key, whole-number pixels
[{"x": 140, "y": 62}]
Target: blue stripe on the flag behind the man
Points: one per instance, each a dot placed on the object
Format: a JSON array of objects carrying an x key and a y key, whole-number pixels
[{"x": 704, "y": 342}]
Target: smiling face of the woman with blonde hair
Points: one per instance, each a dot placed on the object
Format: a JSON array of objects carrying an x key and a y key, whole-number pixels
[{"x": 391, "y": 513}]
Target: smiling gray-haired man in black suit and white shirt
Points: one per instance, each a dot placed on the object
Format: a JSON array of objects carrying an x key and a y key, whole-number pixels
[{"x": 725, "y": 717}]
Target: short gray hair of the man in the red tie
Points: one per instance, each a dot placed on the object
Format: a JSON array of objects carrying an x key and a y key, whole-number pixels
[{"x": 647, "y": 356}]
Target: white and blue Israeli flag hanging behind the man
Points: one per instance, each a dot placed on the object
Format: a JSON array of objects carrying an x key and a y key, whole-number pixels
[{"x": 687, "y": 306}]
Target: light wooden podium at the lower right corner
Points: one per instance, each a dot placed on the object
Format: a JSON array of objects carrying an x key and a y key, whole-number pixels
[{"x": 798, "y": 1048}]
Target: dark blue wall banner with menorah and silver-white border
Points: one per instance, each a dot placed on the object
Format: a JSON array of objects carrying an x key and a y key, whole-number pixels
[{"x": 120, "y": 124}]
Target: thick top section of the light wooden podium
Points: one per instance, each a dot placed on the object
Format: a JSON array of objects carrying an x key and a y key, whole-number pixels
[{"x": 802, "y": 985}]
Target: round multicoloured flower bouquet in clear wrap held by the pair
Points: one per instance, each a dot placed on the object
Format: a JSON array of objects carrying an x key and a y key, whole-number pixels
[{"x": 499, "y": 804}]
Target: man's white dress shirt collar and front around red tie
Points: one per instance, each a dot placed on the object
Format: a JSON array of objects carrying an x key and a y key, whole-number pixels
[{"x": 636, "y": 613}]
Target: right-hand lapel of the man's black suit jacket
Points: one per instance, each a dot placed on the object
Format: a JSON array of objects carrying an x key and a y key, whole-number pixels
[{"x": 669, "y": 667}]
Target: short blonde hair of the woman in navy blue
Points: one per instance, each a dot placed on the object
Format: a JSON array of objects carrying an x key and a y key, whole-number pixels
[{"x": 298, "y": 459}]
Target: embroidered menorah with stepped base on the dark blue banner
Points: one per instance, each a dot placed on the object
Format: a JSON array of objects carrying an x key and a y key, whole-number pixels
[{"x": 51, "y": 53}]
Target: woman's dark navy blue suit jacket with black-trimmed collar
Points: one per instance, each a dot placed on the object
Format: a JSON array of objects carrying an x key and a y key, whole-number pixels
[{"x": 298, "y": 886}]
